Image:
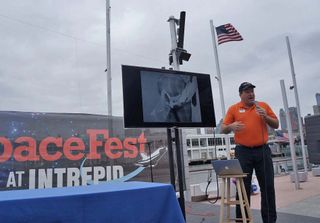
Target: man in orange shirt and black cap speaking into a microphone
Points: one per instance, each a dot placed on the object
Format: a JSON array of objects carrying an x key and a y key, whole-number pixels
[{"x": 248, "y": 119}]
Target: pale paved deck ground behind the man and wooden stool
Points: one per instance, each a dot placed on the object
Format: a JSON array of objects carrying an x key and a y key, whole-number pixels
[{"x": 300, "y": 205}]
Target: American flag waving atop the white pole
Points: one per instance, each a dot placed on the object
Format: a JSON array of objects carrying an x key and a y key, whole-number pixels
[{"x": 227, "y": 33}]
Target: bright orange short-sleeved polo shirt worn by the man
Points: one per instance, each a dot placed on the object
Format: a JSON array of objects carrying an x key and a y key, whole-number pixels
[{"x": 255, "y": 132}]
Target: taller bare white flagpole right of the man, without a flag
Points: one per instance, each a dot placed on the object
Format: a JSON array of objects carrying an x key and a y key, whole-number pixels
[{"x": 295, "y": 88}]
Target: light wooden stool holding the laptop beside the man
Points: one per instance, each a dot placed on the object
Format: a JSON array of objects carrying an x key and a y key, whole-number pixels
[{"x": 243, "y": 199}]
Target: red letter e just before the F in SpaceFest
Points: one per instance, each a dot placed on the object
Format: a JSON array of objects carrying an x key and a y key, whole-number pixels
[{"x": 68, "y": 148}]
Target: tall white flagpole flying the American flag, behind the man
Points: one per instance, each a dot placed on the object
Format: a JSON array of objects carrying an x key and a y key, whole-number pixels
[{"x": 219, "y": 79}]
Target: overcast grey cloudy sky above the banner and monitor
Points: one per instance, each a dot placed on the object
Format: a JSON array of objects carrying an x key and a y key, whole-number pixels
[{"x": 53, "y": 52}]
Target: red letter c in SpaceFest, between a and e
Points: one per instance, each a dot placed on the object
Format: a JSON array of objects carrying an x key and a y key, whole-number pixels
[{"x": 43, "y": 148}]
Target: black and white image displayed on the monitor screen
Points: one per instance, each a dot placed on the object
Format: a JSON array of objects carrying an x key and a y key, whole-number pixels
[{"x": 172, "y": 98}]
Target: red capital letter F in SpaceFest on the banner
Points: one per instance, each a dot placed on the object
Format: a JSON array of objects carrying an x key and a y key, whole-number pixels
[{"x": 93, "y": 154}]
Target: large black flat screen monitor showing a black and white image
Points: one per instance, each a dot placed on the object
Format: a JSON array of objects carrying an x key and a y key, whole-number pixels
[{"x": 166, "y": 98}]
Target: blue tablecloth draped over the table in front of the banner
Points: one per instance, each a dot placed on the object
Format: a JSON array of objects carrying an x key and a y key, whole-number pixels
[{"x": 132, "y": 202}]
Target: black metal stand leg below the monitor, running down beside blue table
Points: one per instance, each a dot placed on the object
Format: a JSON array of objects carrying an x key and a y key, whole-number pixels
[{"x": 180, "y": 174}]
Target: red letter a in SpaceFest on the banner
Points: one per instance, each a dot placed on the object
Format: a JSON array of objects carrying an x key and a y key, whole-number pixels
[{"x": 30, "y": 150}]
